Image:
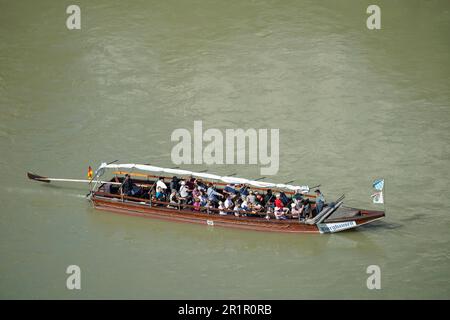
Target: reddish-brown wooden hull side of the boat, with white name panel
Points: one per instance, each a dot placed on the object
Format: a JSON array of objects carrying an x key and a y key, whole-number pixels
[{"x": 248, "y": 223}]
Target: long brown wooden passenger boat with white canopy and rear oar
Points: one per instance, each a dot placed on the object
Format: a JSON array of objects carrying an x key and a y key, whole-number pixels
[{"x": 105, "y": 194}]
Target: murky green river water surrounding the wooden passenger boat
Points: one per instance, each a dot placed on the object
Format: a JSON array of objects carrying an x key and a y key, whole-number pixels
[{"x": 351, "y": 104}]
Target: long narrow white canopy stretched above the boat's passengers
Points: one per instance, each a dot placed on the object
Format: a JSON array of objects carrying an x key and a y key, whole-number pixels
[{"x": 235, "y": 180}]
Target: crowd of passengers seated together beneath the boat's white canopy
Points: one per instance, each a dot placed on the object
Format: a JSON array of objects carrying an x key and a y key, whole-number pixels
[{"x": 238, "y": 200}]
